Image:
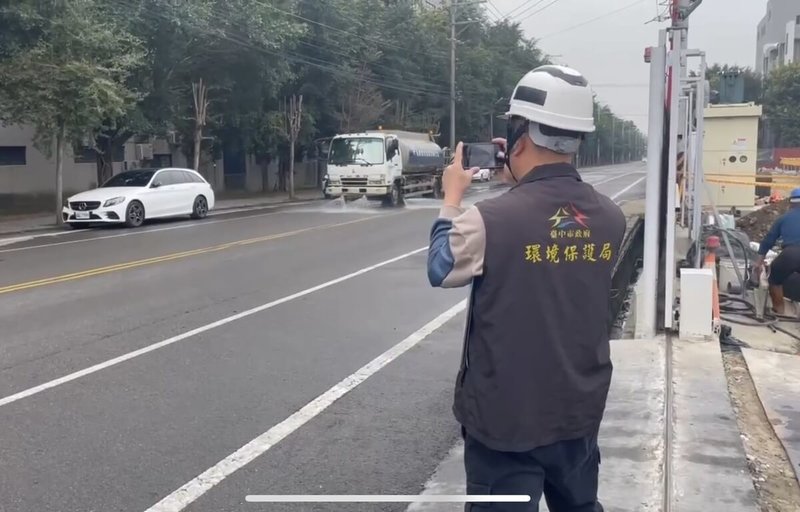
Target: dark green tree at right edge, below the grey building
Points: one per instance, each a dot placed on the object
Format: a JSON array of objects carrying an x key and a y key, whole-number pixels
[{"x": 782, "y": 105}]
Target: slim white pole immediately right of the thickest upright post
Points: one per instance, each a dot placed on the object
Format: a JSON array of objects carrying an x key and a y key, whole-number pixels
[{"x": 674, "y": 129}]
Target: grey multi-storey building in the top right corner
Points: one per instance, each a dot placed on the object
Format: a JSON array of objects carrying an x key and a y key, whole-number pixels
[{"x": 778, "y": 37}]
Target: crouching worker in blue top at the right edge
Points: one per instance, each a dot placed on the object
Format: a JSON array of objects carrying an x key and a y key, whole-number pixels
[{"x": 786, "y": 229}]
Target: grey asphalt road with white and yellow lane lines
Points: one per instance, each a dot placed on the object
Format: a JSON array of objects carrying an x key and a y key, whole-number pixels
[{"x": 185, "y": 365}]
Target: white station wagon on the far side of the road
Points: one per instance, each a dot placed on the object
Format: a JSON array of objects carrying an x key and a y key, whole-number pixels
[{"x": 132, "y": 196}]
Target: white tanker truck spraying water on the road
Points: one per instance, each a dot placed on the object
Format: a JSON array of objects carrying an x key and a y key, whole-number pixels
[{"x": 388, "y": 165}]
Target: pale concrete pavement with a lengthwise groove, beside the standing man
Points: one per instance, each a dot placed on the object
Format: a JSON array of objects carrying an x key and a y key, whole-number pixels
[{"x": 707, "y": 460}]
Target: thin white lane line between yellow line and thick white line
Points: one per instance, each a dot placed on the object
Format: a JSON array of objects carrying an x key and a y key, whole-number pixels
[{"x": 199, "y": 330}]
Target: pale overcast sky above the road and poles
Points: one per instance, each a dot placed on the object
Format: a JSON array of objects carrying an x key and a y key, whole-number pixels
[{"x": 609, "y": 51}]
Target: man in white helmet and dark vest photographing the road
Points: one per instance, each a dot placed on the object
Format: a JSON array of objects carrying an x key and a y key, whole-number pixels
[{"x": 536, "y": 368}]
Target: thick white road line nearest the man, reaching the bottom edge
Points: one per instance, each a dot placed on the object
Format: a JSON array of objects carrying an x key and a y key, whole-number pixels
[{"x": 192, "y": 490}]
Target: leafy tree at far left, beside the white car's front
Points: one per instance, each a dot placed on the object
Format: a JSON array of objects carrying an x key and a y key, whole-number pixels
[{"x": 70, "y": 79}]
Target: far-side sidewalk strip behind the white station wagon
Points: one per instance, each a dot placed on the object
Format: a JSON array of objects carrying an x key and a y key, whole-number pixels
[{"x": 14, "y": 224}]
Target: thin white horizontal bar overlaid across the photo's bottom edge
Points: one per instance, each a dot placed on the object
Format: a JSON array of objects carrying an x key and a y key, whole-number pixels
[{"x": 387, "y": 498}]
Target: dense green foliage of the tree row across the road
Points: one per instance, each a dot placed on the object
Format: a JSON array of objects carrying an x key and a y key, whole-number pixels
[{"x": 114, "y": 69}]
